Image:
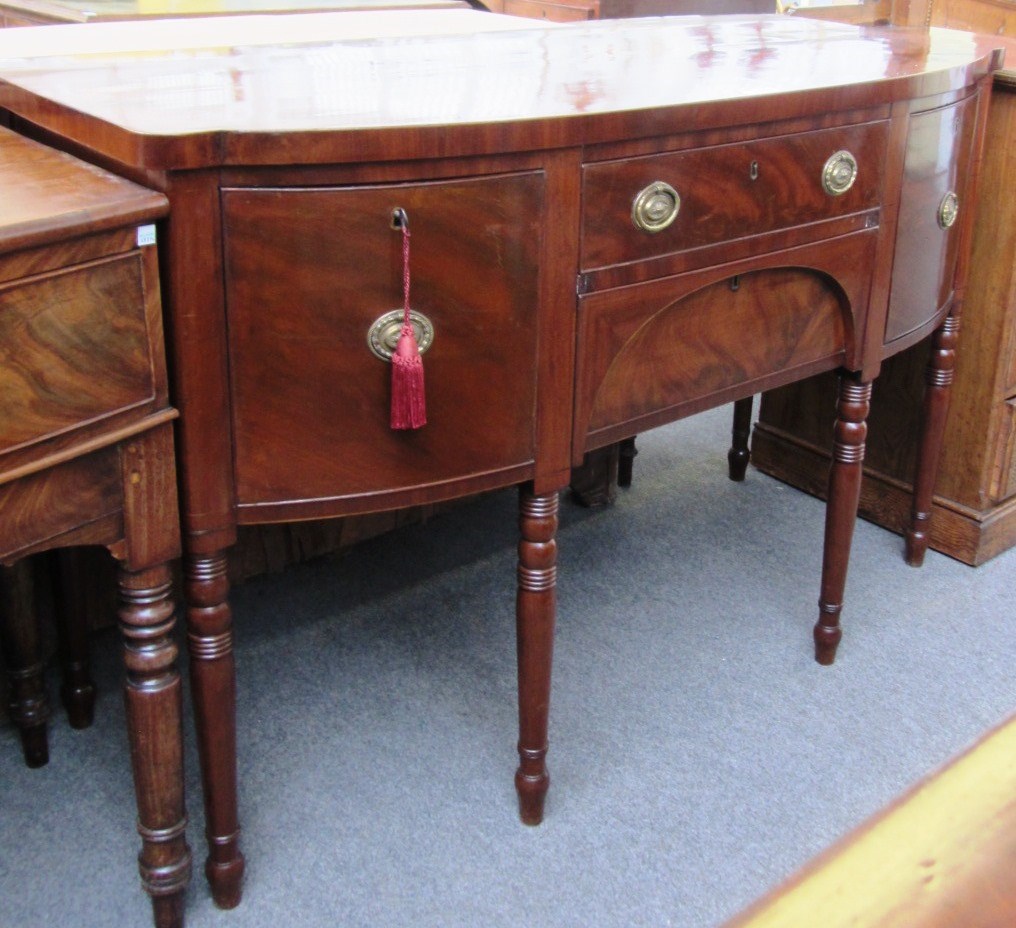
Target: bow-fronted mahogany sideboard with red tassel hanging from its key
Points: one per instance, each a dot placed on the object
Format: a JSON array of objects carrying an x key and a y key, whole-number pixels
[{"x": 597, "y": 236}]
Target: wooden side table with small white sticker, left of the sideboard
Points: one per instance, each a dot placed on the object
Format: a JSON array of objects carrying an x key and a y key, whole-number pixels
[{"x": 87, "y": 454}]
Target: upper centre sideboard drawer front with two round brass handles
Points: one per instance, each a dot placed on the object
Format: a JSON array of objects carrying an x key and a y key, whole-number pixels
[{"x": 727, "y": 193}]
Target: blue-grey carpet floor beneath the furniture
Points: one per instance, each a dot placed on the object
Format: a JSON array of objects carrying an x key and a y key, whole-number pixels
[{"x": 698, "y": 755}]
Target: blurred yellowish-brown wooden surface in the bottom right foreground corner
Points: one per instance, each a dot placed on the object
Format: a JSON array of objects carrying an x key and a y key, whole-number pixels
[{"x": 942, "y": 856}]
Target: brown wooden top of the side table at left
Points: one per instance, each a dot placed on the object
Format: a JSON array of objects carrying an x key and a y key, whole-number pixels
[{"x": 48, "y": 197}]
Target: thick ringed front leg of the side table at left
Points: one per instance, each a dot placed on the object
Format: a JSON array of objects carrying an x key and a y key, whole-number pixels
[{"x": 155, "y": 710}]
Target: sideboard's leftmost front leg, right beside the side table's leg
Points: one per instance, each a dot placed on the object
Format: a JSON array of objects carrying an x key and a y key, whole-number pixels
[{"x": 214, "y": 687}]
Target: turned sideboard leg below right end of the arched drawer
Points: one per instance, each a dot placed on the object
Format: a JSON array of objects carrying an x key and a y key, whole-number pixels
[{"x": 842, "y": 510}]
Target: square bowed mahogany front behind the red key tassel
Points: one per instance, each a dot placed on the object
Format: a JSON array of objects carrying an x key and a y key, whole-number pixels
[{"x": 310, "y": 270}]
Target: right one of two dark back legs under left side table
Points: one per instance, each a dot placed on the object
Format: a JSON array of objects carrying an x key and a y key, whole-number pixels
[{"x": 78, "y": 692}]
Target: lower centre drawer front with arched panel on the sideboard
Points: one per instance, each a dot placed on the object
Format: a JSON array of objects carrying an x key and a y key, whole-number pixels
[{"x": 653, "y": 353}]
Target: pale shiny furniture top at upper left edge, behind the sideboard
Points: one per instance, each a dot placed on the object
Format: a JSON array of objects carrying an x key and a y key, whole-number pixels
[{"x": 111, "y": 11}]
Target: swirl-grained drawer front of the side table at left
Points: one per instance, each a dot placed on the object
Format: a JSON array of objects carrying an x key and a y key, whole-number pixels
[{"x": 76, "y": 349}]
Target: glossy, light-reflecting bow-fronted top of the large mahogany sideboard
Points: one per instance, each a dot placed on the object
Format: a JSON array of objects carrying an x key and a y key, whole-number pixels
[{"x": 319, "y": 88}]
